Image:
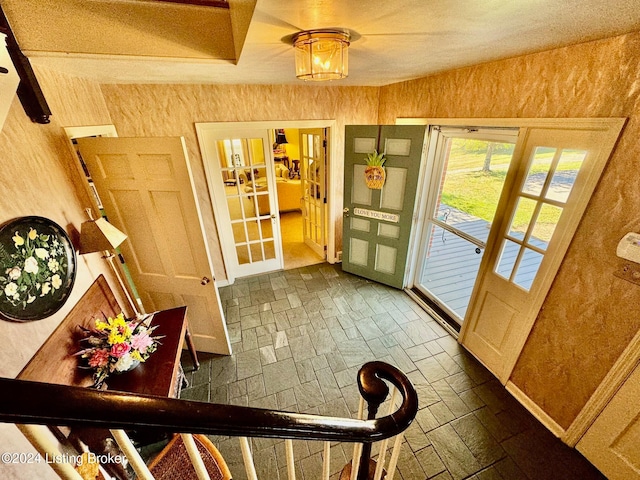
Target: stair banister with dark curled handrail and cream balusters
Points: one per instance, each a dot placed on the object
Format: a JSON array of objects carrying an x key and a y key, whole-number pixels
[{"x": 388, "y": 405}]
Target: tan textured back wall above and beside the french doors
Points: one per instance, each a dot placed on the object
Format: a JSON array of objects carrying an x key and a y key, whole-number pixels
[{"x": 170, "y": 110}]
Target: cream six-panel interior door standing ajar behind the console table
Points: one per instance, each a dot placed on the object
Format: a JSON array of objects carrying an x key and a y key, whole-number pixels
[{"x": 146, "y": 188}]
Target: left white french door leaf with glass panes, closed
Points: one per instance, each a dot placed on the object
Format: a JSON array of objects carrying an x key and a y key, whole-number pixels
[{"x": 239, "y": 168}]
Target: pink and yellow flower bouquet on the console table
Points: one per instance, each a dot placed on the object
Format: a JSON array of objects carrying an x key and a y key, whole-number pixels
[{"x": 116, "y": 345}]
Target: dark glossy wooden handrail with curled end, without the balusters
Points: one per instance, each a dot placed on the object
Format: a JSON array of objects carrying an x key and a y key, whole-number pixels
[{"x": 33, "y": 403}]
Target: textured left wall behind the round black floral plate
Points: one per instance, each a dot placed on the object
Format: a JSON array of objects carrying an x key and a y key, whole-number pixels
[{"x": 39, "y": 177}]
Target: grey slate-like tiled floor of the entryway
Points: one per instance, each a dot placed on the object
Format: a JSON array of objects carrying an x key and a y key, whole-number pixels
[{"x": 300, "y": 336}]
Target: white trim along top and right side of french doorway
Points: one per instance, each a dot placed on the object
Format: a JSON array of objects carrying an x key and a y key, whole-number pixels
[{"x": 332, "y": 164}]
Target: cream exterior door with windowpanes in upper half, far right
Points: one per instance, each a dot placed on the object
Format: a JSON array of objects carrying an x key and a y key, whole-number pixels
[{"x": 558, "y": 168}]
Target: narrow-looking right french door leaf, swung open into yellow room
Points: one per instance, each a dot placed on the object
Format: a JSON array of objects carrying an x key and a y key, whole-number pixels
[{"x": 313, "y": 160}]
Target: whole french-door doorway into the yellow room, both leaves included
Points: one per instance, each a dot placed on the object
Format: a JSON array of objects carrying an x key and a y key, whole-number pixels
[{"x": 276, "y": 180}]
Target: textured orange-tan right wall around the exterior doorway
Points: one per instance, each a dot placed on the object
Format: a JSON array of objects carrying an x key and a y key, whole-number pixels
[{"x": 590, "y": 315}]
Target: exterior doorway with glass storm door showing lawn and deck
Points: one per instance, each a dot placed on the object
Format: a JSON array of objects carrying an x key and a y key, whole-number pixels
[{"x": 468, "y": 174}]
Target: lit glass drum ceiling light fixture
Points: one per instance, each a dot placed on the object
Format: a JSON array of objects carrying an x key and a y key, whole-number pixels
[{"x": 322, "y": 54}]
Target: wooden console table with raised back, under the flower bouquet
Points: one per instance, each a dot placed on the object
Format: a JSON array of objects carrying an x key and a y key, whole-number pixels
[{"x": 55, "y": 362}]
